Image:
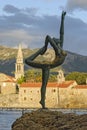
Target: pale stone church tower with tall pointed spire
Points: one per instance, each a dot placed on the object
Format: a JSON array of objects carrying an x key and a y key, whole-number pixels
[{"x": 19, "y": 66}]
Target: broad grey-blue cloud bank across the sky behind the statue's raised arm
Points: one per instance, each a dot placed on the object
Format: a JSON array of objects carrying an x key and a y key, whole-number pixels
[{"x": 27, "y": 27}]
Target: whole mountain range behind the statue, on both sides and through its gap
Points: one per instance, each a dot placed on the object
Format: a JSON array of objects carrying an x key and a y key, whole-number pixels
[{"x": 73, "y": 61}]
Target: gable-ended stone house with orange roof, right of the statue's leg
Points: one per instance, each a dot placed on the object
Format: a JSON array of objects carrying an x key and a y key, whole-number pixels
[{"x": 66, "y": 91}]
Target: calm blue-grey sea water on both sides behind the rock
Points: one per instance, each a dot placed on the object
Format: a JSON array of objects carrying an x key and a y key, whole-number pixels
[{"x": 7, "y": 117}]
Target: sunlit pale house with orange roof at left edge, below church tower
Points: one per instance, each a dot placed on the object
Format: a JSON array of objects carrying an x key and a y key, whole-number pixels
[{"x": 7, "y": 84}]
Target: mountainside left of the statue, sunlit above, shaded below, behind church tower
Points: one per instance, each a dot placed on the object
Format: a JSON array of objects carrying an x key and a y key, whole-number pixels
[{"x": 8, "y": 59}]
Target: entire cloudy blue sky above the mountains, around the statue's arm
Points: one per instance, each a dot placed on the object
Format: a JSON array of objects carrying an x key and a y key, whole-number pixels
[{"x": 27, "y": 22}]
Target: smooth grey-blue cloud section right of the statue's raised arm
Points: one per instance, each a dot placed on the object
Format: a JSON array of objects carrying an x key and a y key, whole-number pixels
[{"x": 75, "y": 36}]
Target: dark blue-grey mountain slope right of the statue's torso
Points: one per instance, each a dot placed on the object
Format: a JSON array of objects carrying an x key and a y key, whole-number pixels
[{"x": 75, "y": 62}]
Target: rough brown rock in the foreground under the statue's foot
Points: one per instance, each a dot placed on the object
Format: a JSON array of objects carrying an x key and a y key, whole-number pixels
[{"x": 50, "y": 120}]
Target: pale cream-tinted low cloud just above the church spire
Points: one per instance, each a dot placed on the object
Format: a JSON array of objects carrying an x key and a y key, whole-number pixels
[{"x": 13, "y": 38}]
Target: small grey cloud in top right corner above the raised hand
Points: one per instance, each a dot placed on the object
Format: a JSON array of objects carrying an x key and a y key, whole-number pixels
[{"x": 76, "y": 4}]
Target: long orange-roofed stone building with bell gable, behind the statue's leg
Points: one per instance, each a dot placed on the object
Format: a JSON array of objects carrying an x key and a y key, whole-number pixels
[{"x": 60, "y": 94}]
